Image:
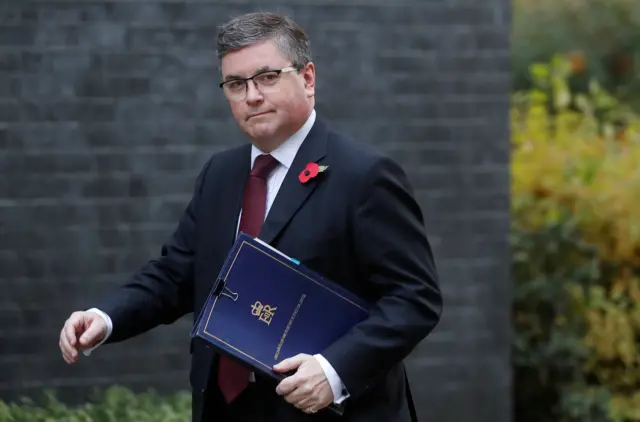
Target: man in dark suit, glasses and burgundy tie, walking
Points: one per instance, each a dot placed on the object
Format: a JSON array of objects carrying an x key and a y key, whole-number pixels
[{"x": 356, "y": 222}]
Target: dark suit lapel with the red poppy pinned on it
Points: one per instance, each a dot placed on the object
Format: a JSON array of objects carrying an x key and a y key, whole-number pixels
[{"x": 292, "y": 194}]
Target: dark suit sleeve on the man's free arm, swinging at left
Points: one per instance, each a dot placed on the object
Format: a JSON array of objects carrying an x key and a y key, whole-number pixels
[{"x": 162, "y": 291}]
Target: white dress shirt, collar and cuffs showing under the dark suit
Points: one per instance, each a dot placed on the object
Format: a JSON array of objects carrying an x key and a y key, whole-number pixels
[{"x": 284, "y": 154}]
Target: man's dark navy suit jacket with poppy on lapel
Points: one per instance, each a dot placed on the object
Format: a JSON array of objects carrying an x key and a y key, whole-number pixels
[{"x": 357, "y": 223}]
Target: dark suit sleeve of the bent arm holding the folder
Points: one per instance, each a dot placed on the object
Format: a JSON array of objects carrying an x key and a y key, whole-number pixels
[{"x": 396, "y": 261}]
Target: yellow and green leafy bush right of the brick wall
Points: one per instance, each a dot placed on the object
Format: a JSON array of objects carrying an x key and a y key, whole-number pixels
[{"x": 576, "y": 250}]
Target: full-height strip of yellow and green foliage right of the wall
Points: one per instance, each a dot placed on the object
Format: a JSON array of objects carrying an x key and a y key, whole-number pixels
[{"x": 575, "y": 233}]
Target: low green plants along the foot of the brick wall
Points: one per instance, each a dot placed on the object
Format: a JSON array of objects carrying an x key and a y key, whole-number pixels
[{"x": 116, "y": 404}]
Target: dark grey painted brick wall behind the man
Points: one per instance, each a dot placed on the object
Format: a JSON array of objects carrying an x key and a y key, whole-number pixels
[{"x": 109, "y": 108}]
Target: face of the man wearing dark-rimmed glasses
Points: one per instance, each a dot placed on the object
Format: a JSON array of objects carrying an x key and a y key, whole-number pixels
[{"x": 269, "y": 117}]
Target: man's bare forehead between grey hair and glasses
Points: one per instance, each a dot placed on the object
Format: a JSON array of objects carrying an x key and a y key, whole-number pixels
[{"x": 247, "y": 61}]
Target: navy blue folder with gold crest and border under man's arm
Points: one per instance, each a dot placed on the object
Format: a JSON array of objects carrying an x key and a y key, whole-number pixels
[{"x": 266, "y": 307}]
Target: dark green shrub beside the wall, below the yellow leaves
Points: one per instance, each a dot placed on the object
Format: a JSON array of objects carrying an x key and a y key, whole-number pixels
[{"x": 551, "y": 264}]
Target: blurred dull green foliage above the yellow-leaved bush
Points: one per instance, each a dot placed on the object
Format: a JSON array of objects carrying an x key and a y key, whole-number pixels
[{"x": 602, "y": 37}]
